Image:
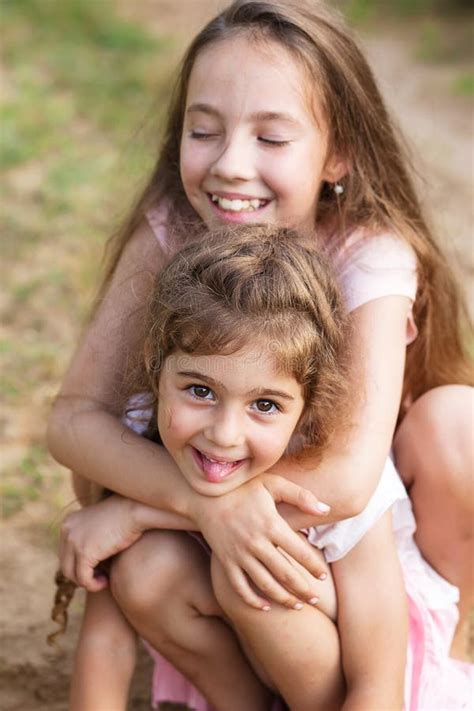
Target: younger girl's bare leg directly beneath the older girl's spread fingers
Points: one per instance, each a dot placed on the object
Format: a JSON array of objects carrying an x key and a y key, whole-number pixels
[{"x": 296, "y": 652}]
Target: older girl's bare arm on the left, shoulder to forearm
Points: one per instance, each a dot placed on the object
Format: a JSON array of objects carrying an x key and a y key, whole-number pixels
[{"x": 84, "y": 430}]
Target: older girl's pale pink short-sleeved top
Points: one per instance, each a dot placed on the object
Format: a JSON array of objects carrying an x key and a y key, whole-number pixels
[{"x": 368, "y": 267}]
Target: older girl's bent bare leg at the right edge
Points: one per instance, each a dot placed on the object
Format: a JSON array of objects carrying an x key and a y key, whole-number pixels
[{"x": 434, "y": 455}]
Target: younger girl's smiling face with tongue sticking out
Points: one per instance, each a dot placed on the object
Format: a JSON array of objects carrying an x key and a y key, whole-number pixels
[{"x": 225, "y": 419}]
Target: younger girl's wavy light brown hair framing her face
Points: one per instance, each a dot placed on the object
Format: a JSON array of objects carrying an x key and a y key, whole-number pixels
[{"x": 240, "y": 286}]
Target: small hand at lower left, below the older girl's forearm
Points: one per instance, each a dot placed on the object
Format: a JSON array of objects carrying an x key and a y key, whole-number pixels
[{"x": 92, "y": 535}]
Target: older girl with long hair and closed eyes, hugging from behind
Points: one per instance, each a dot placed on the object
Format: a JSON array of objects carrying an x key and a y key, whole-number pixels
[{"x": 277, "y": 119}]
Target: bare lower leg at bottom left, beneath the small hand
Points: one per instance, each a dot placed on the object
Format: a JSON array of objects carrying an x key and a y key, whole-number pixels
[{"x": 105, "y": 657}]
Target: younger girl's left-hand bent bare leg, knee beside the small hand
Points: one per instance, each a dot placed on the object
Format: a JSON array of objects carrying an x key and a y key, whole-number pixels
[{"x": 163, "y": 586}]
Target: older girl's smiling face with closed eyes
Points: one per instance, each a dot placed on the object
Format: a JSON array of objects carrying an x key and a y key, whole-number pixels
[{"x": 252, "y": 149}]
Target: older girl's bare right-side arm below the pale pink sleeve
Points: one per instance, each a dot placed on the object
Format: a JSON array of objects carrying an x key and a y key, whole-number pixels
[{"x": 350, "y": 469}]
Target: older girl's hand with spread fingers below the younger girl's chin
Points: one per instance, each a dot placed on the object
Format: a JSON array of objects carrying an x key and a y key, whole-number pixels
[{"x": 252, "y": 541}]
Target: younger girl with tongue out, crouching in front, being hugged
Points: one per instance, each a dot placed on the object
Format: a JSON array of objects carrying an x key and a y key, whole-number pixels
[{"x": 244, "y": 357}]
